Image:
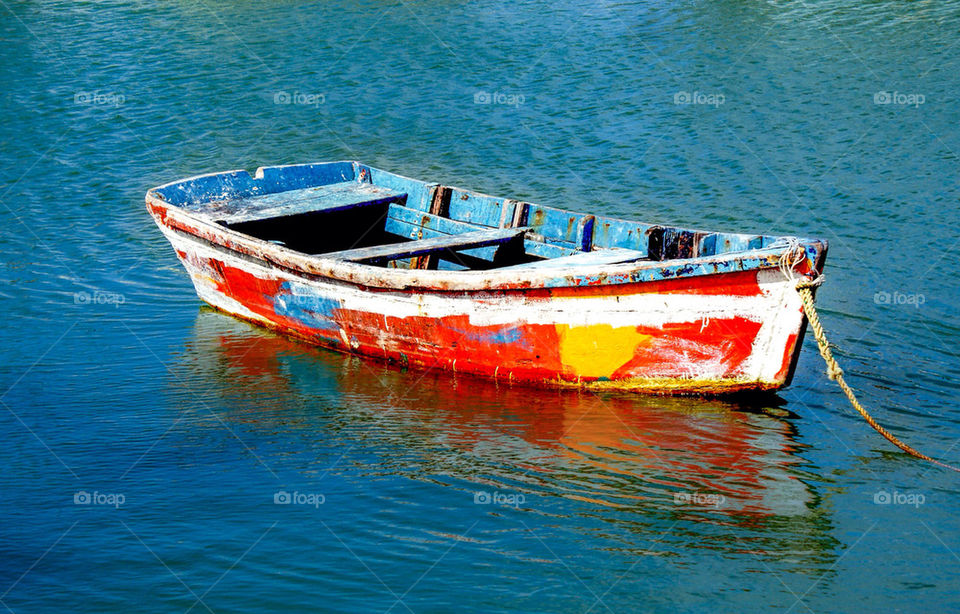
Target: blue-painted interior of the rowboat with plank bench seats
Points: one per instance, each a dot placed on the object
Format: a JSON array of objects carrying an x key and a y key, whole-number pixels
[{"x": 352, "y": 212}]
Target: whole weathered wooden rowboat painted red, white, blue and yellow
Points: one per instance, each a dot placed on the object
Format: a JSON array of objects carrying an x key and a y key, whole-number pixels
[{"x": 360, "y": 260}]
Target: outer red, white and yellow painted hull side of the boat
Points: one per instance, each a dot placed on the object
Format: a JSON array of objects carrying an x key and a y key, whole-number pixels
[{"x": 710, "y": 334}]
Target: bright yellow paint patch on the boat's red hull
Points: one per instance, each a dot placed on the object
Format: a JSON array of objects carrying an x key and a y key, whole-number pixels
[{"x": 597, "y": 350}]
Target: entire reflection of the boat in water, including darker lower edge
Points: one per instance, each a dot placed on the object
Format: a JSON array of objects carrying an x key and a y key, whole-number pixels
[{"x": 680, "y": 458}]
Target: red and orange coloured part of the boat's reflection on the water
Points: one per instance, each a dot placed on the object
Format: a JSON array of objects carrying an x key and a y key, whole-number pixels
[{"x": 616, "y": 449}]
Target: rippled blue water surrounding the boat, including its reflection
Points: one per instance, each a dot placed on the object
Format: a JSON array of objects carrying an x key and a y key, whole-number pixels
[{"x": 175, "y": 427}]
